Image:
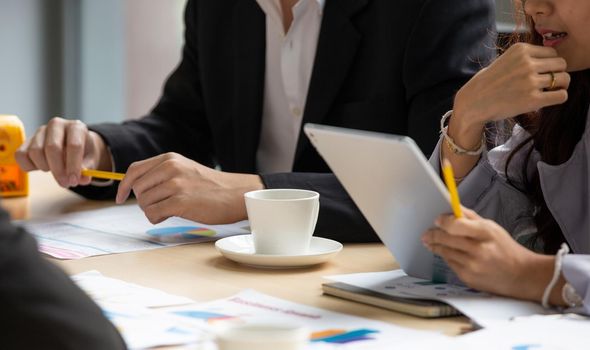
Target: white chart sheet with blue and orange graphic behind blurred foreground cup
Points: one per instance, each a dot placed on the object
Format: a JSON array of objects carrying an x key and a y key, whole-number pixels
[{"x": 349, "y": 332}]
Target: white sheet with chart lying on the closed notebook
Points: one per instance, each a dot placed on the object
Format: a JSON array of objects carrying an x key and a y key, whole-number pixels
[{"x": 484, "y": 309}]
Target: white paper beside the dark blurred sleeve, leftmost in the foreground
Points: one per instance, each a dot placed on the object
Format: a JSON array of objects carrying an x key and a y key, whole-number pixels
[{"x": 114, "y": 291}]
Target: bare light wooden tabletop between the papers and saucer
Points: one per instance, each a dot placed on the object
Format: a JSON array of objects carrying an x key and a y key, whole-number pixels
[{"x": 198, "y": 271}]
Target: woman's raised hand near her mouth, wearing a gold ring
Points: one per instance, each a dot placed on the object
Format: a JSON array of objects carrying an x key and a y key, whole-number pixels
[{"x": 515, "y": 83}]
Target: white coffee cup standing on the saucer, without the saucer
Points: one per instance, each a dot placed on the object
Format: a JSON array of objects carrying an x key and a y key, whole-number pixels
[{"x": 282, "y": 221}]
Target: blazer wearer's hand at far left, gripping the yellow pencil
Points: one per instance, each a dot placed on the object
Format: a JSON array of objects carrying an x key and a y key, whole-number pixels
[{"x": 64, "y": 147}]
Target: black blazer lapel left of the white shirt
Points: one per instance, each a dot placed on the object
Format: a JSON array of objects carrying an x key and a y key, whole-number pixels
[{"x": 249, "y": 66}]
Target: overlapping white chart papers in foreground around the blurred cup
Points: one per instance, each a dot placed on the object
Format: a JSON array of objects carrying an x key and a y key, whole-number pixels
[{"x": 132, "y": 308}]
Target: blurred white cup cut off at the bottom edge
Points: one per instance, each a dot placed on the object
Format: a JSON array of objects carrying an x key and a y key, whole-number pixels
[{"x": 263, "y": 336}]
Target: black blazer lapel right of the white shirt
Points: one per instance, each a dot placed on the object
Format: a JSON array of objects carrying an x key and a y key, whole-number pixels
[{"x": 337, "y": 46}]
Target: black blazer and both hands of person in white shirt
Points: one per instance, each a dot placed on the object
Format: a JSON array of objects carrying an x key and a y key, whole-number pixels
[{"x": 380, "y": 65}]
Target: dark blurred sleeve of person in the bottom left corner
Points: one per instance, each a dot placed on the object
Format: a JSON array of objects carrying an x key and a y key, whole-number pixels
[{"x": 41, "y": 307}]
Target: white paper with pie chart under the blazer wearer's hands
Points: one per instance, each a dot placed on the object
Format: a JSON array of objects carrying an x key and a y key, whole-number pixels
[{"x": 111, "y": 230}]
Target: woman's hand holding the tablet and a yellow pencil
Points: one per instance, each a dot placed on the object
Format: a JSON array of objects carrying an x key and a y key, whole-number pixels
[{"x": 485, "y": 256}]
